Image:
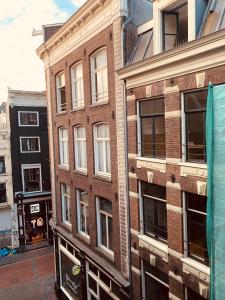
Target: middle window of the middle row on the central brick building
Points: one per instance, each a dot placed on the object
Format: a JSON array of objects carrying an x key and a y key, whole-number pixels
[{"x": 80, "y": 148}]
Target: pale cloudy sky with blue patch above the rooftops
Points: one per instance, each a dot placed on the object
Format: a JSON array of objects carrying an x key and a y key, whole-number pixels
[{"x": 20, "y": 67}]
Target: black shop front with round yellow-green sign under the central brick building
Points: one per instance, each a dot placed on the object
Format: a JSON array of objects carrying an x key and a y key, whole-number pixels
[{"x": 80, "y": 278}]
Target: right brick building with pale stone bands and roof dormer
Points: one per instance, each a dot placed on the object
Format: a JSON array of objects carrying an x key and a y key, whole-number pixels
[{"x": 178, "y": 52}]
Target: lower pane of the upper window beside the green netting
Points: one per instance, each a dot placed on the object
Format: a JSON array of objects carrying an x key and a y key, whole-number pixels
[{"x": 196, "y": 149}]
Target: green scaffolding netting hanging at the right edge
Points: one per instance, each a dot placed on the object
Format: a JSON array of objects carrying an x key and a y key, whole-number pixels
[{"x": 215, "y": 141}]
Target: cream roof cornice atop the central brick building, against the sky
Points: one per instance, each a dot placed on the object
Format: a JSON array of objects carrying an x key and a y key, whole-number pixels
[{"x": 74, "y": 23}]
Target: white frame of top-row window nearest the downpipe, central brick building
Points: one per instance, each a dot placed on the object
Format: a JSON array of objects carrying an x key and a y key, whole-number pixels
[{"x": 105, "y": 94}]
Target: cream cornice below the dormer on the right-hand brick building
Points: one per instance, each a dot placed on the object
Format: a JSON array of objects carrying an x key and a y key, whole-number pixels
[{"x": 199, "y": 47}]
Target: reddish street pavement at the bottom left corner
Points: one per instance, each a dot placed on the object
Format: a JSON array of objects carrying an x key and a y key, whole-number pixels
[{"x": 29, "y": 279}]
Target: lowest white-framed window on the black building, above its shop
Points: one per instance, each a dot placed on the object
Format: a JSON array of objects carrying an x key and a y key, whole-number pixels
[{"x": 31, "y": 178}]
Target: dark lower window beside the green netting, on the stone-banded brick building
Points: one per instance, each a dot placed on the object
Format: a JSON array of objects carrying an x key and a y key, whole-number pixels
[{"x": 196, "y": 227}]
